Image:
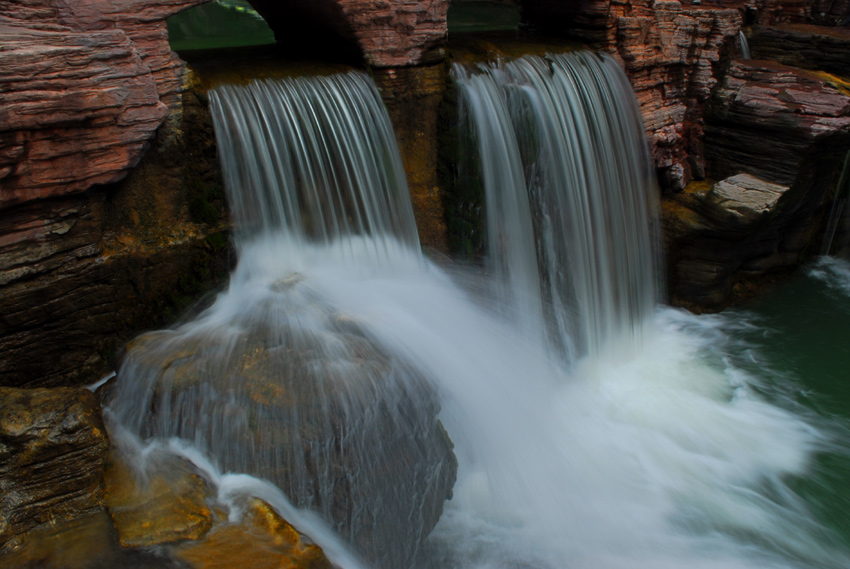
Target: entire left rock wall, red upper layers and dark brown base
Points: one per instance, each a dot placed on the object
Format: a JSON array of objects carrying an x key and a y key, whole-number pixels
[{"x": 83, "y": 261}]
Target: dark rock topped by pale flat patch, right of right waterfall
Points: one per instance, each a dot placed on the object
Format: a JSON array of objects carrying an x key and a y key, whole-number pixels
[{"x": 724, "y": 241}]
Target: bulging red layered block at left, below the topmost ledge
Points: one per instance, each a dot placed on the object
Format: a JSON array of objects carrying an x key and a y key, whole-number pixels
[{"x": 78, "y": 110}]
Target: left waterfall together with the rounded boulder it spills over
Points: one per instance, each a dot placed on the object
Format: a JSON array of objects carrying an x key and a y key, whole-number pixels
[{"x": 277, "y": 379}]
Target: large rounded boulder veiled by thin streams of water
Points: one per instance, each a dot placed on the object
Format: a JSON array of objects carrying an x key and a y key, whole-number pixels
[{"x": 290, "y": 390}]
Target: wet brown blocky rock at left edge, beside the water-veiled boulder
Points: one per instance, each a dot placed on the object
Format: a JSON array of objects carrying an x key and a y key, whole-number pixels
[{"x": 52, "y": 452}]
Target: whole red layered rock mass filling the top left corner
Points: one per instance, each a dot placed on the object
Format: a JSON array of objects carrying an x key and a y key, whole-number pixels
[{"x": 85, "y": 85}]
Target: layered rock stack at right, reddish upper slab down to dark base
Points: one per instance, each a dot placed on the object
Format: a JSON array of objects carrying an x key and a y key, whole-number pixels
[{"x": 785, "y": 125}]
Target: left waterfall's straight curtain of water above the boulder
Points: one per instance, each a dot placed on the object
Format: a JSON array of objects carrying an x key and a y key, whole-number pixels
[{"x": 315, "y": 159}]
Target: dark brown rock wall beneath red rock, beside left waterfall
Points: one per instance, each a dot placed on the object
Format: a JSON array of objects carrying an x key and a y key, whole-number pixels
[{"x": 81, "y": 273}]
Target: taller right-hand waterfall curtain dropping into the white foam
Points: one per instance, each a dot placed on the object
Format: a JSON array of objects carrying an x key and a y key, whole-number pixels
[{"x": 569, "y": 193}]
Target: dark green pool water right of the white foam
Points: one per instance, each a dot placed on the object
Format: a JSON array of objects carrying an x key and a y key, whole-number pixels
[{"x": 797, "y": 340}]
